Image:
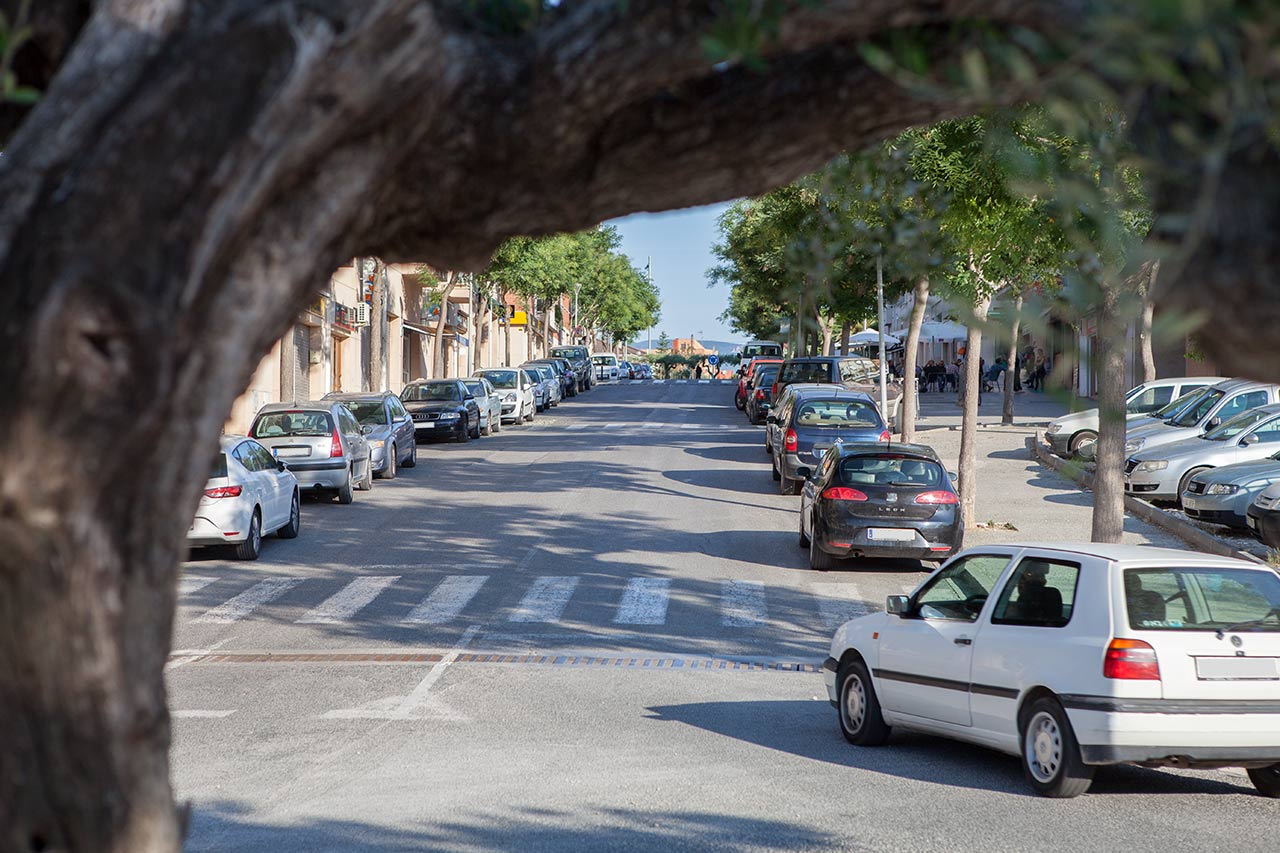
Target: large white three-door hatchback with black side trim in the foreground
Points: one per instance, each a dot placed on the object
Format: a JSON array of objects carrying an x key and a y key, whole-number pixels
[{"x": 1076, "y": 656}]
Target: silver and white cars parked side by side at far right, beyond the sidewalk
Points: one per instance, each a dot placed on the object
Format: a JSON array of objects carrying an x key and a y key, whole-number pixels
[{"x": 1214, "y": 449}]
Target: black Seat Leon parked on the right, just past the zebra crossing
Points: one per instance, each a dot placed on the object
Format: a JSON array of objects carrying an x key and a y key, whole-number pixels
[{"x": 879, "y": 500}]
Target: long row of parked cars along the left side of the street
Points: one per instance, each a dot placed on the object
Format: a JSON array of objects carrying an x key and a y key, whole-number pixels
[{"x": 337, "y": 446}]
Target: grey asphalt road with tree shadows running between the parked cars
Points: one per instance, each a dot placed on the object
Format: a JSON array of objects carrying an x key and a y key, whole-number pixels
[{"x": 592, "y": 633}]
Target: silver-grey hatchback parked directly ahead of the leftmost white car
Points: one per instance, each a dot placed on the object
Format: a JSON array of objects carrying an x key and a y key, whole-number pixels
[{"x": 322, "y": 443}]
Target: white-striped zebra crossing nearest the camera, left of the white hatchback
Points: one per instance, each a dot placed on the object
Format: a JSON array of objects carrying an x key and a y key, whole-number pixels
[{"x": 543, "y": 600}]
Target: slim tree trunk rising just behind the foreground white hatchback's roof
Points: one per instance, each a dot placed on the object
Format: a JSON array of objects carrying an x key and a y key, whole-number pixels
[{"x": 1108, "y": 480}]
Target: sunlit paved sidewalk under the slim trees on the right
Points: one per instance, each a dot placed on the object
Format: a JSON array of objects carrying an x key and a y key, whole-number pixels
[{"x": 1012, "y": 489}]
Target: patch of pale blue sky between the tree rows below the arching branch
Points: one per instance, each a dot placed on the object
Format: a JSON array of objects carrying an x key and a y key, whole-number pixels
[{"x": 680, "y": 243}]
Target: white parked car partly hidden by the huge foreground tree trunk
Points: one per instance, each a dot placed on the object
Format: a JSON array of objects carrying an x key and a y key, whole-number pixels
[{"x": 249, "y": 495}]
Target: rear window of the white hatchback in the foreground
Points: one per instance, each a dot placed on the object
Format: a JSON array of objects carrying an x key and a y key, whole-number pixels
[{"x": 1203, "y": 600}]
